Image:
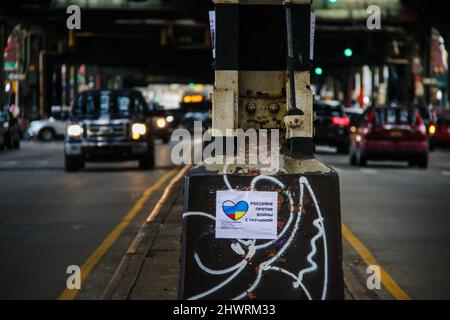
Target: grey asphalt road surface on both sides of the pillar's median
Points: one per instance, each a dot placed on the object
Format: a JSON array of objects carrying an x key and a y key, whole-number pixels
[{"x": 50, "y": 219}]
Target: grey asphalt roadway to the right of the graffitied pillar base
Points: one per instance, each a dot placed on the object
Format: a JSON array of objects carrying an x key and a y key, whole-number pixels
[{"x": 402, "y": 215}]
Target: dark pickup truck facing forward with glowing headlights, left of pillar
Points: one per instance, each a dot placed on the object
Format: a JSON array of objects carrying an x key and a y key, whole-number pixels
[{"x": 109, "y": 126}]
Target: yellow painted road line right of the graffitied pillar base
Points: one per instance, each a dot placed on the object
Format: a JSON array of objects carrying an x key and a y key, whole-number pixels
[{"x": 388, "y": 282}]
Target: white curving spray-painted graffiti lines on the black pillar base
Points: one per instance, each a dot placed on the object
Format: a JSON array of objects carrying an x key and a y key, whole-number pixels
[{"x": 248, "y": 248}]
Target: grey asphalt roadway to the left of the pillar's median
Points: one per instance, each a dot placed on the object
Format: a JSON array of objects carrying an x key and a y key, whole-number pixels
[{"x": 50, "y": 219}]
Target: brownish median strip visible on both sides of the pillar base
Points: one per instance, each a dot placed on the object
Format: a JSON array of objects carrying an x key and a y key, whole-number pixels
[{"x": 150, "y": 268}]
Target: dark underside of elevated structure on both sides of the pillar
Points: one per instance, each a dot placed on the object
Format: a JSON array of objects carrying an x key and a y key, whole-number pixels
[{"x": 172, "y": 37}]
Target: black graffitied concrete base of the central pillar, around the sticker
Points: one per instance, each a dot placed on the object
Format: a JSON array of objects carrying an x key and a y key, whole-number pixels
[{"x": 304, "y": 262}]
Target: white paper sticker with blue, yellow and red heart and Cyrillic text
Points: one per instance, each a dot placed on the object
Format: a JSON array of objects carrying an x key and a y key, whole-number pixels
[{"x": 246, "y": 214}]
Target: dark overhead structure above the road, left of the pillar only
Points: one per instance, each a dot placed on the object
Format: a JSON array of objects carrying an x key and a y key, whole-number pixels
[{"x": 159, "y": 37}]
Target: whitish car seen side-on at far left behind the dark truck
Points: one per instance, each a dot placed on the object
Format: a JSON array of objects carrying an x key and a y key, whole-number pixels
[{"x": 51, "y": 128}]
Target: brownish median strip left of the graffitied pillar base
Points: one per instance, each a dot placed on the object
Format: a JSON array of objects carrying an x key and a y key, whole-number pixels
[{"x": 149, "y": 270}]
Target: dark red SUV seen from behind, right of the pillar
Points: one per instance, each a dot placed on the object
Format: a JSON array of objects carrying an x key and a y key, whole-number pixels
[{"x": 390, "y": 133}]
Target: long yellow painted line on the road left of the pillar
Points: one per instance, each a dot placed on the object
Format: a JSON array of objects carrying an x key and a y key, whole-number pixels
[{"x": 94, "y": 258}]
